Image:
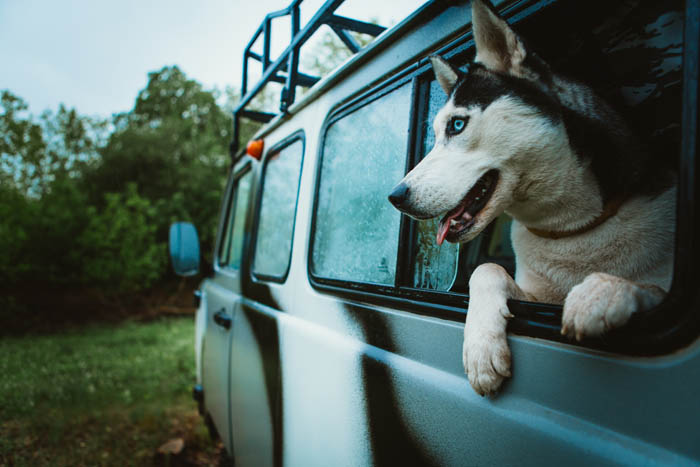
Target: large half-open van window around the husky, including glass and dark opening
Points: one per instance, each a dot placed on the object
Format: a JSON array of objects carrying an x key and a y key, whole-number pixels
[{"x": 631, "y": 53}]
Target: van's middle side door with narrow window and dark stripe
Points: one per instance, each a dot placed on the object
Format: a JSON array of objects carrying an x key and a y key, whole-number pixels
[{"x": 255, "y": 356}]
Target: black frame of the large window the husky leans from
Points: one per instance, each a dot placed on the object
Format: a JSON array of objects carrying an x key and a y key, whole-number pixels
[{"x": 658, "y": 331}]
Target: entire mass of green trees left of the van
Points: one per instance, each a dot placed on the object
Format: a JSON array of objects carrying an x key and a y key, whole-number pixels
[{"x": 89, "y": 202}]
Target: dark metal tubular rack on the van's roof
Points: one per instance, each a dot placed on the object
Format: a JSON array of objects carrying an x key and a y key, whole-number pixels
[{"x": 288, "y": 61}]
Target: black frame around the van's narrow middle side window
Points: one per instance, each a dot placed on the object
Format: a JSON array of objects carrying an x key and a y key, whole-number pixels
[{"x": 298, "y": 135}]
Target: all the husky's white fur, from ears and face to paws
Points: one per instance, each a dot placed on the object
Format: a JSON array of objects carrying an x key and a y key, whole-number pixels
[{"x": 601, "y": 276}]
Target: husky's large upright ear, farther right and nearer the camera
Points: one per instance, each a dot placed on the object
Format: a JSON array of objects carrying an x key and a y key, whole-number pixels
[{"x": 498, "y": 48}]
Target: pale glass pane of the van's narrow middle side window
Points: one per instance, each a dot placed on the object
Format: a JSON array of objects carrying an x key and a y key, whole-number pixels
[{"x": 277, "y": 211}]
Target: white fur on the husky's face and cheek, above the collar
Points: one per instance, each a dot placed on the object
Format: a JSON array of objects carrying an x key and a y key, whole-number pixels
[{"x": 508, "y": 136}]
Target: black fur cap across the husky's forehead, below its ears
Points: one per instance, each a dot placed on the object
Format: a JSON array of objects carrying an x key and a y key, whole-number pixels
[{"x": 481, "y": 87}]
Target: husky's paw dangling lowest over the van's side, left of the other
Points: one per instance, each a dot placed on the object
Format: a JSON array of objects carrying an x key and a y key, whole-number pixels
[{"x": 486, "y": 359}]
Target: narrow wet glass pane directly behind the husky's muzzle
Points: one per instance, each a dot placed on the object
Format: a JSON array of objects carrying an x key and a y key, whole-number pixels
[{"x": 434, "y": 266}]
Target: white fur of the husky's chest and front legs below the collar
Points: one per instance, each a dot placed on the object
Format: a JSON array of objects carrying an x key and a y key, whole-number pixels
[{"x": 633, "y": 248}]
